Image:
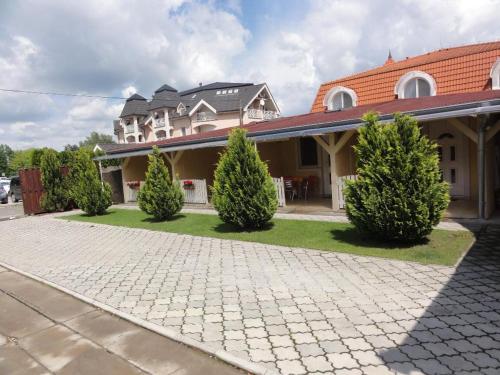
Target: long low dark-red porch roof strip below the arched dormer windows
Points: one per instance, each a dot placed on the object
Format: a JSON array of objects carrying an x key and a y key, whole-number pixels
[{"x": 330, "y": 118}]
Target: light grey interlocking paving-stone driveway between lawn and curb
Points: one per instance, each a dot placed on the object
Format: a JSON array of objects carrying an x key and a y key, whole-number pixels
[{"x": 294, "y": 311}]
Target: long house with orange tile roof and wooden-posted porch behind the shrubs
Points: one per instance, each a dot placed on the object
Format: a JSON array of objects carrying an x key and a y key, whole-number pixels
[{"x": 454, "y": 93}]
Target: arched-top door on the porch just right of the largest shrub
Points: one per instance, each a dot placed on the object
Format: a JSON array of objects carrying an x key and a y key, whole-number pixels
[{"x": 453, "y": 158}]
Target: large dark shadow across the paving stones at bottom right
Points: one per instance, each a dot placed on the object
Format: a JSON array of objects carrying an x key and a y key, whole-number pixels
[{"x": 460, "y": 331}]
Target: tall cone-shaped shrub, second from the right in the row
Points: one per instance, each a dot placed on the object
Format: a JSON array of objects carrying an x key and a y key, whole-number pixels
[{"x": 243, "y": 193}]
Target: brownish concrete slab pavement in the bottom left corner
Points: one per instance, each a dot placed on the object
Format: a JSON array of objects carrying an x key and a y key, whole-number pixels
[{"x": 45, "y": 331}]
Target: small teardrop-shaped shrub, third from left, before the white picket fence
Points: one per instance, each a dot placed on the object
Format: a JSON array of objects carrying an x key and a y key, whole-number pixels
[{"x": 160, "y": 196}]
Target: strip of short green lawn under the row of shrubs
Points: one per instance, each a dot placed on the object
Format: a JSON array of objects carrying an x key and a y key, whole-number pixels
[{"x": 442, "y": 247}]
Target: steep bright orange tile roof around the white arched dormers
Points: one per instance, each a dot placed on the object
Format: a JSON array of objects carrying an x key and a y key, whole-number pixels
[{"x": 455, "y": 70}]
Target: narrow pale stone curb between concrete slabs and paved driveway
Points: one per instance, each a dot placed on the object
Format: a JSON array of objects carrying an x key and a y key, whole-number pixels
[{"x": 222, "y": 355}]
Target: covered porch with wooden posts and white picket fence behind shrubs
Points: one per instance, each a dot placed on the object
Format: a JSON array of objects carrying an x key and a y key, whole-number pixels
[{"x": 310, "y": 160}]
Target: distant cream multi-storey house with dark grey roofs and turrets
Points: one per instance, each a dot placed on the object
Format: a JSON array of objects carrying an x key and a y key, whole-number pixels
[{"x": 208, "y": 107}]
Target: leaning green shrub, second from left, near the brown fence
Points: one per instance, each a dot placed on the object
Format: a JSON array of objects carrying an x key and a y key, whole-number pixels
[{"x": 88, "y": 192}]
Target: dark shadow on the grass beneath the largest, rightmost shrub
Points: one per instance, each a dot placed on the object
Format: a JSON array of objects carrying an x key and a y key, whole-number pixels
[{"x": 354, "y": 237}]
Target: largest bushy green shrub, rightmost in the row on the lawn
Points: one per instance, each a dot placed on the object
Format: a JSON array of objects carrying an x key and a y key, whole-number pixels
[{"x": 399, "y": 194}]
